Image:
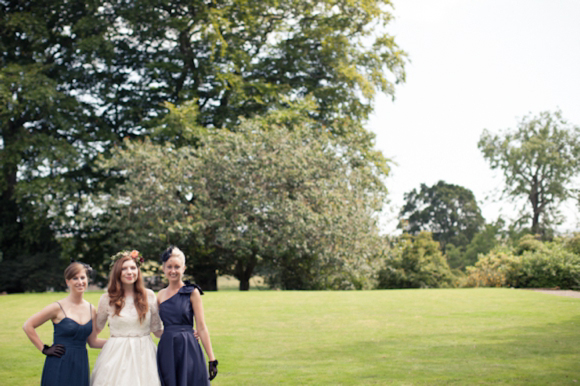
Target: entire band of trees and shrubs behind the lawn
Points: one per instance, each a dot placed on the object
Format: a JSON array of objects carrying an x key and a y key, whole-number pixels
[{"x": 237, "y": 132}]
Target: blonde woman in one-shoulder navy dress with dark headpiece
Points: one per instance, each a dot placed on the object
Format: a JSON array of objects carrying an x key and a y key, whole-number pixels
[{"x": 180, "y": 360}]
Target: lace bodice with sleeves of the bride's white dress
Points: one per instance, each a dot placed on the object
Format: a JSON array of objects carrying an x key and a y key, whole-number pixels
[{"x": 127, "y": 324}]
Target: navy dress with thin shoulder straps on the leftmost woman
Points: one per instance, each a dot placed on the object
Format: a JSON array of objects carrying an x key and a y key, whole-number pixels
[{"x": 73, "y": 367}]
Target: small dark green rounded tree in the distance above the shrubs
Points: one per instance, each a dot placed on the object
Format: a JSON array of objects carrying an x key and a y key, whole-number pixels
[{"x": 448, "y": 211}]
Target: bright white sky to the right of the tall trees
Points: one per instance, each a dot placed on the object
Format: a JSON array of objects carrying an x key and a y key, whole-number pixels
[{"x": 474, "y": 65}]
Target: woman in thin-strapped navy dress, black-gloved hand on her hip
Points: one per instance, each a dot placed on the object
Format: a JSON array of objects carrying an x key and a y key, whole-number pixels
[{"x": 67, "y": 361}]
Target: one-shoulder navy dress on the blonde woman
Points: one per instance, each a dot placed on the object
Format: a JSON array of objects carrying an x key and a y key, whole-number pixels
[{"x": 180, "y": 359}]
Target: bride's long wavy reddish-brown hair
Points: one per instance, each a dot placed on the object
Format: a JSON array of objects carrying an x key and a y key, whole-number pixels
[{"x": 117, "y": 293}]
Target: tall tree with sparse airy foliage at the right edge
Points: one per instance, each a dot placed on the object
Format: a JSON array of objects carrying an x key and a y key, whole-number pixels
[{"x": 540, "y": 161}]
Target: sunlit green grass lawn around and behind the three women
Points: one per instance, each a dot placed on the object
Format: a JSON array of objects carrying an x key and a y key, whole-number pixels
[{"x": 401, "y": 337}]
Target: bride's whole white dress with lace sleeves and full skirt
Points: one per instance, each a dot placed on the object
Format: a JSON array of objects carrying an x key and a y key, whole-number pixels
[{"x": 129, "y": 356}]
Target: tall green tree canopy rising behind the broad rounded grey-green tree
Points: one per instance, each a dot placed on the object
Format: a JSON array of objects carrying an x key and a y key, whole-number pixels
[{"x": 77, "y": 77}]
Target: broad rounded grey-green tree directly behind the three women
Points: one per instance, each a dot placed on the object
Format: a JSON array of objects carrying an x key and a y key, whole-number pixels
[{"x": 261, "y": 196}]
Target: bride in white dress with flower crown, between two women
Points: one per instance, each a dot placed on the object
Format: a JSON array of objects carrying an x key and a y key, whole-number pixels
[{"x": 128, "y": 358}]
